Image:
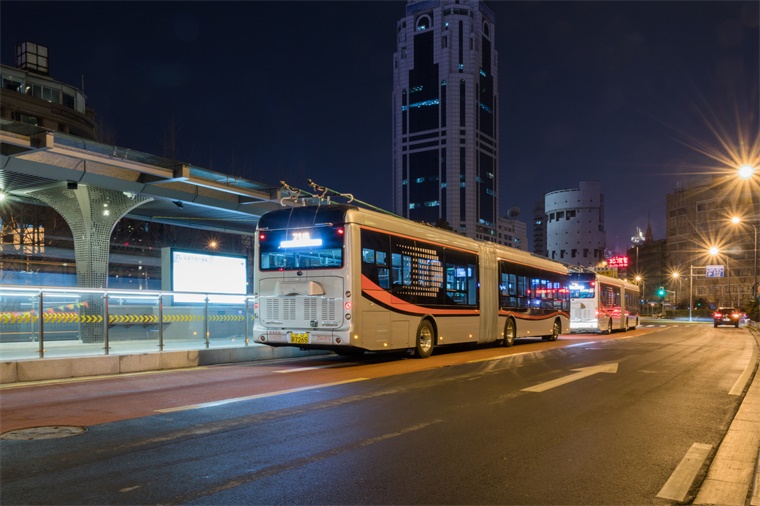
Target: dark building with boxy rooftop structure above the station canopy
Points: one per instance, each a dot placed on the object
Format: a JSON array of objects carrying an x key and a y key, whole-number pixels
[{"x": 29, "y": 95}]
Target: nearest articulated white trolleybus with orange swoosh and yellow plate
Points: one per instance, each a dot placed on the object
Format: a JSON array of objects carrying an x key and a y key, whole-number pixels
[{"x": 350, "y": 280}]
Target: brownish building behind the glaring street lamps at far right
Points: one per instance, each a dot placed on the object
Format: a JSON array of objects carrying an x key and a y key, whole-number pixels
[{"x": 699, "y": 217}]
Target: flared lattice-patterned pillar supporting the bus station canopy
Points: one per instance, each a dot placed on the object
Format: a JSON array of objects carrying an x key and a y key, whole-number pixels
[{"x": 92, "y": 214}]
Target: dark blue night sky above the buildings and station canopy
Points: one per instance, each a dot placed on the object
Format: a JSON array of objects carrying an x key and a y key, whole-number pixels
[{"x": 636, "y": 95}]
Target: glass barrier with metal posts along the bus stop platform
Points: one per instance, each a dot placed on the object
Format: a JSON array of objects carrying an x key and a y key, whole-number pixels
[{"x": 40, "y": 322}]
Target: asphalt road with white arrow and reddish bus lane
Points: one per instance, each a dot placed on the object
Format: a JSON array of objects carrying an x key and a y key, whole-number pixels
[{"x": 585, "y": 420}]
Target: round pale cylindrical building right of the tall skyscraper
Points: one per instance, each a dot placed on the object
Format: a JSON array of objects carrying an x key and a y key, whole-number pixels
[{"x": 575, "y": 225}]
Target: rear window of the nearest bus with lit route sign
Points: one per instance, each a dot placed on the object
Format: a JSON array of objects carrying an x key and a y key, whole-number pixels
[{"x": 319, "y": 247}]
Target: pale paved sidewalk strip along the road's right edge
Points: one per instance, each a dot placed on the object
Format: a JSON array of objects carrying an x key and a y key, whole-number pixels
[{"x": 733, "y": 477}]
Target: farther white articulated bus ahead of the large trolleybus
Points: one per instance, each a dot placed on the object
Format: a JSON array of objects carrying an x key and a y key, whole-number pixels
[{"x": 602, "y": 304}]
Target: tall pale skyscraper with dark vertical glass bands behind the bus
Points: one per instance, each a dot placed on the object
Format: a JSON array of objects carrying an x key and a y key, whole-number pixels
[{"x": 445, "y": 116}]
